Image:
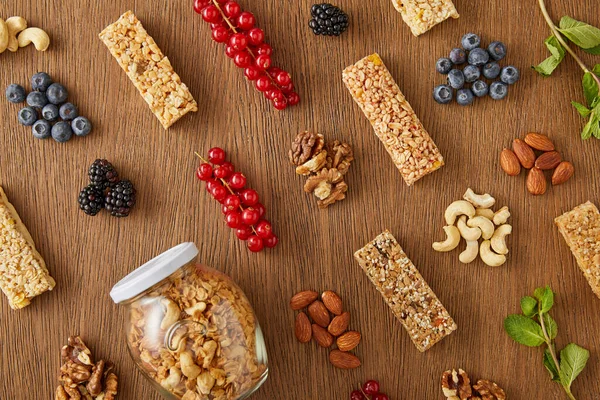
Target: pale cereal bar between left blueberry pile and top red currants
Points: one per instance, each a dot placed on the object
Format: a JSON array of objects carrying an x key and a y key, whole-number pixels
[{"x": 149, "y": 70}]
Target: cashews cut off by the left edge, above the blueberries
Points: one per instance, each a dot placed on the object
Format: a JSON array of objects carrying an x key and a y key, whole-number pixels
[{"x": 14, "y": 33}]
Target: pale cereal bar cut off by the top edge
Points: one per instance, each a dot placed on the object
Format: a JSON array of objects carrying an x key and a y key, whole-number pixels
[{"x": 422, "y": 15}]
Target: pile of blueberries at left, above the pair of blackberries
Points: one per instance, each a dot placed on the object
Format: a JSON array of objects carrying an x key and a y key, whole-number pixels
[{"x": 48, "y": 112}]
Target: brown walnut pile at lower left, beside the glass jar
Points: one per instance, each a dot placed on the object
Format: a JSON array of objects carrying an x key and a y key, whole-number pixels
[{"x": 81, "y": 377}]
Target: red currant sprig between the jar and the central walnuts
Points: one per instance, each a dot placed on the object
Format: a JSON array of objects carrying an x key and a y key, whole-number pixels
[{"x": 241, "y": 207}]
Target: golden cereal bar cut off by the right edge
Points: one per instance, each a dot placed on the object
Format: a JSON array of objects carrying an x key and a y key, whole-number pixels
[{"x": 581, "y": 230}]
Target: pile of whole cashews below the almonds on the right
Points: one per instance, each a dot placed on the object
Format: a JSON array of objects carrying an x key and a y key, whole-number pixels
[{"x": 472, "y": 219}]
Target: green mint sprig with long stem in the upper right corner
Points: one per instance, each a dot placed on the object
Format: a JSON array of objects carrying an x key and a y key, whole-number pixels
[{"x": 587, "y": 38}]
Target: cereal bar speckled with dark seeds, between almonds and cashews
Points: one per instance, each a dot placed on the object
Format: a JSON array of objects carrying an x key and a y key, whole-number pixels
[{"x": 405, "y": 291}]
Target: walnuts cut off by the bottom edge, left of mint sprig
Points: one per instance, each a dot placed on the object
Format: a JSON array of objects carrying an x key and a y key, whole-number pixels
[{"x": 457, "y": 386}]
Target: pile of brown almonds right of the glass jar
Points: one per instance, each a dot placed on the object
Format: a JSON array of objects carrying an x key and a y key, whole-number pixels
[{"x": 329, "y": 324}]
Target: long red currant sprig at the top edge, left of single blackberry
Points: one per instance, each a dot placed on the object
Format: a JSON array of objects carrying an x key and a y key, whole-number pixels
[{"x": 244, "y": 43}]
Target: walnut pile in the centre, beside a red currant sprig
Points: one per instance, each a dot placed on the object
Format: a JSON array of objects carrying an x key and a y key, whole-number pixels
[{"x": 325, "y": 166}]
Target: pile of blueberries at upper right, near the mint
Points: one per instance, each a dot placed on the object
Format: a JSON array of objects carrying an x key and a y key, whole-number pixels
[{"x": 480, "y": 63}]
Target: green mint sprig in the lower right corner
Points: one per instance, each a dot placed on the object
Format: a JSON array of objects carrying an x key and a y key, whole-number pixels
[{"x": 535, "y": 327}]
